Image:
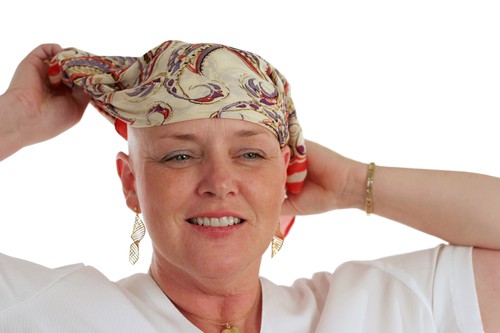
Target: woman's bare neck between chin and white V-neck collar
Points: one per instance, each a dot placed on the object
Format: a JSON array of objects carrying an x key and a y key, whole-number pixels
[{"x": 211, "y": 302}]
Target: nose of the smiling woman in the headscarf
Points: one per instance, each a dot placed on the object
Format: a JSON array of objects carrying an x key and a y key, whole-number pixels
[{"x": 218, "y": 178}]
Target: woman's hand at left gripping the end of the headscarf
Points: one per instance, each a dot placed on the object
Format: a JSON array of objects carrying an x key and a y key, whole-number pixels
[{"x": 31, "y": 110}]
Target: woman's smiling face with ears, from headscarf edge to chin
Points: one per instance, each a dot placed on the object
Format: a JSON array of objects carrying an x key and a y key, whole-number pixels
[{"x": 227, "y": 175}]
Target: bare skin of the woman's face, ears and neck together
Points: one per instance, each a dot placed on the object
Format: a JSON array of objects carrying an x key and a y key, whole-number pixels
[{"x": 178, "y": 172}]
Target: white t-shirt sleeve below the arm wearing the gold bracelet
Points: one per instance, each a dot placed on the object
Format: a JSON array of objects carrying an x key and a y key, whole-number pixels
[{"x": 443, "y": 279}]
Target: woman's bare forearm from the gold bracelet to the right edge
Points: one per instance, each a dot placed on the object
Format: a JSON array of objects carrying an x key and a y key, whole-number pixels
[{"x": 459, "y": 207}]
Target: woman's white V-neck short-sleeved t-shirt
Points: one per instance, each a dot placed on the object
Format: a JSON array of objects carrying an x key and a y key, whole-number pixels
[{"x": 427, "y": 291}]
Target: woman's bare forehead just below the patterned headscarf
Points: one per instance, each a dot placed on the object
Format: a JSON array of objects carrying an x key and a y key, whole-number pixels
[{"x": 204, "y": 129}]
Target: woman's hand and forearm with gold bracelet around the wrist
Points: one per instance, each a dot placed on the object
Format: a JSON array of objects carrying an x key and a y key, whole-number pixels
[{"x": 428, "y": 200}]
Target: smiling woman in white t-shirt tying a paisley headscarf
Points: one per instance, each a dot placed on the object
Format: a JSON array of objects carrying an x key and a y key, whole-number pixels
[{"x": 211, "y": 190}]
